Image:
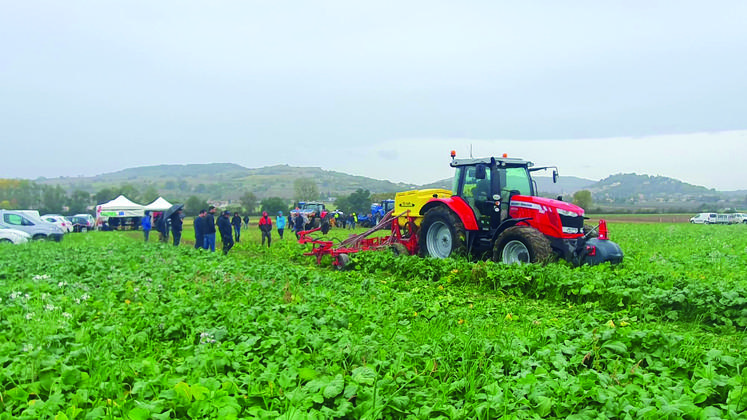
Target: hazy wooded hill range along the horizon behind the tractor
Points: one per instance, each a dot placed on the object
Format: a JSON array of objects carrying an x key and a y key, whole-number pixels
[{"x": 228, "y": 181}]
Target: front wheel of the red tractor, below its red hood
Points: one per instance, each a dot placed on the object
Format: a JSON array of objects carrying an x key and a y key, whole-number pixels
[{"x": 523, "y": 245}]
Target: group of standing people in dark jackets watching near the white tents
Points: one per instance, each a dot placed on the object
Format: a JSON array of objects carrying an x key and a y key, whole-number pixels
[{"x": 207, "y": 227}]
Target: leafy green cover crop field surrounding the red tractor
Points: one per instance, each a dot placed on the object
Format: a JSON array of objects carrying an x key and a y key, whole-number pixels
[{"x": 102, "y": 325}]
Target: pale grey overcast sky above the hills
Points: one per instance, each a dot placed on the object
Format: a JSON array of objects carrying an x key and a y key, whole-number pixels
[{"x": 381, "y": 88}]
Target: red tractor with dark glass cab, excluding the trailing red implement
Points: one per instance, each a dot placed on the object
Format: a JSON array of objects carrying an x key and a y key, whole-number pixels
[{"x": 494, "y": 210}]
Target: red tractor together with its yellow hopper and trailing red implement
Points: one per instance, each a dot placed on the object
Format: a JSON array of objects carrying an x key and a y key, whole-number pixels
[{"x": 493, "y": 212}]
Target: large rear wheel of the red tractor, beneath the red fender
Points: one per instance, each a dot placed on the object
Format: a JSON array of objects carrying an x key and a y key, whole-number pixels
[{"x": 442, "y": 234}]
